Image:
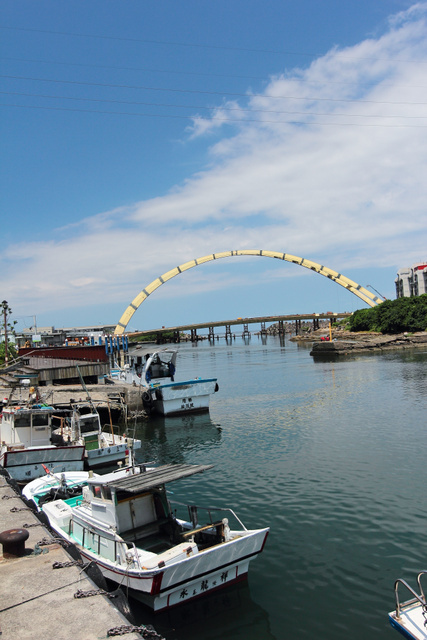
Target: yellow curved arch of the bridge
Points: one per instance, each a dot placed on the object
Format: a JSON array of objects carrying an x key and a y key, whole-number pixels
[{"x": 365, "y": 295}]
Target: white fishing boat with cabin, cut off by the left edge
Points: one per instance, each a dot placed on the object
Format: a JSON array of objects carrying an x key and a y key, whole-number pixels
[{"x": 26, "y": 444}]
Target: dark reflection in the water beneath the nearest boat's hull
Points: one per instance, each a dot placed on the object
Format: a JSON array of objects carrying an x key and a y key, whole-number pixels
[{"x": 228, "y": 614}]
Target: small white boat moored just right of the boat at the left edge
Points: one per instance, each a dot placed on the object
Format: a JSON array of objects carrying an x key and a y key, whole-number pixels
[{"x": 101, "y": 447}]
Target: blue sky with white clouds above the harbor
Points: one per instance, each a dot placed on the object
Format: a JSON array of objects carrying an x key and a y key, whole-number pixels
[{"x": 137, "y": 136}]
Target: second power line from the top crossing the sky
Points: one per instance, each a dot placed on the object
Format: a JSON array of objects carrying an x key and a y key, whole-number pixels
[{"x": 202, "y": 92}]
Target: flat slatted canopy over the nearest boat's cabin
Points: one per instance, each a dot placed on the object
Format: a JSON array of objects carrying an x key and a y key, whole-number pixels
[{"x": 154, "y": 477}]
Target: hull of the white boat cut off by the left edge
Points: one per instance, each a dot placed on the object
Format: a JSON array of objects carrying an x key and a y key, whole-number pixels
[{"x": 24, "y": 465}]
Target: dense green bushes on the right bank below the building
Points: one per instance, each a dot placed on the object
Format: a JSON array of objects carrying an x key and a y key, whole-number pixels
[{"x": 392, "y": 316}]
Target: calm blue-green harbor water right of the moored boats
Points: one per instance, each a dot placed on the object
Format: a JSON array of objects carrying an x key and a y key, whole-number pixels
[{"x": 331, "y": 455}]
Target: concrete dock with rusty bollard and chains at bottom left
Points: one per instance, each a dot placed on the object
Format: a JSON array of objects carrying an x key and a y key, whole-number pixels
[{"x": 38, "y": 601}]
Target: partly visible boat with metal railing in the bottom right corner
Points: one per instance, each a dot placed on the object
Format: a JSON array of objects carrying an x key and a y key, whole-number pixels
[{"x": 410, "y": 617}]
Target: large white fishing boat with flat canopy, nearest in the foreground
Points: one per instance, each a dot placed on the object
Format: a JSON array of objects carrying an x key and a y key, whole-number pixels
[{"x": 128, "y": 527}]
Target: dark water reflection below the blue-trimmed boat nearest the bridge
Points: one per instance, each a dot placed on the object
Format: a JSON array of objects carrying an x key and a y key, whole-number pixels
[{"x": 169, "y": 439}]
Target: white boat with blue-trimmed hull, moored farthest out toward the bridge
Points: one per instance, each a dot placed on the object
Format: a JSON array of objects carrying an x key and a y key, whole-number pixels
[{"x": 161, "y": 392}]
